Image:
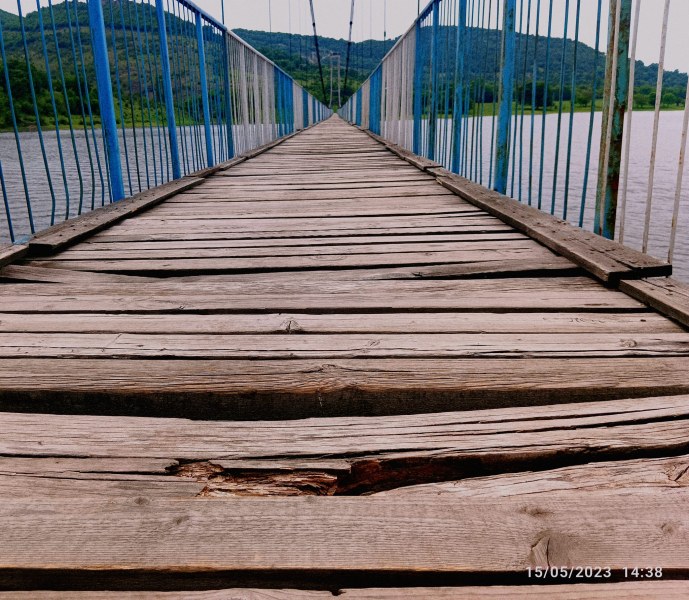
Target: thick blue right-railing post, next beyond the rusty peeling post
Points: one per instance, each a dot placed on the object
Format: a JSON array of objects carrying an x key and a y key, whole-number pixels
[{"x": 507, "y": 60}]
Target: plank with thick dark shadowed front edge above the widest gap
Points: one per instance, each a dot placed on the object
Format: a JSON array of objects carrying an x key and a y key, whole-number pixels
[{"x": 237, "y": 389}]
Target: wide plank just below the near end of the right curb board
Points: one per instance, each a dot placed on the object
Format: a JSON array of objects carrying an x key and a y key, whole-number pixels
[{"x": 553, "y": 294}]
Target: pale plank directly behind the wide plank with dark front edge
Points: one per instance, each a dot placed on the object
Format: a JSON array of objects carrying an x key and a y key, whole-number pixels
[{"x": 373, "y": 346}]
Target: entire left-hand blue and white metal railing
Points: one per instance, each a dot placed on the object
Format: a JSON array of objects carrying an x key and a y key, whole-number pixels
[{"x": 102, "y": 99}]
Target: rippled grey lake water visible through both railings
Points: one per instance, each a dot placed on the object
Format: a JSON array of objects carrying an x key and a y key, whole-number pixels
[{"x": 151, "y": 151}]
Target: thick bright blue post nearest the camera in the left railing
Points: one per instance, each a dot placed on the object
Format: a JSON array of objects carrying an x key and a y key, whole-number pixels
[{"x": 105, "y": 97}]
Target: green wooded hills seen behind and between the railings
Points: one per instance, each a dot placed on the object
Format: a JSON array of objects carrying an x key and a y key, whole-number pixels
[{"x": 294, "y": 53}]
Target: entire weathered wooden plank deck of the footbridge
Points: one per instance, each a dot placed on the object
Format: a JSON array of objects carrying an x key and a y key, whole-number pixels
[{"x": 320, "y": 370}]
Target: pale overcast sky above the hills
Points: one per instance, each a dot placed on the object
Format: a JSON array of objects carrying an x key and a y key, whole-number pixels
[{"x": 332, "y": 19}]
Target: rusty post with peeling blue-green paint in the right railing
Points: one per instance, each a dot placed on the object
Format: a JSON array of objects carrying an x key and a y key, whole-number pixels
[{"x": 609, "y": 178}]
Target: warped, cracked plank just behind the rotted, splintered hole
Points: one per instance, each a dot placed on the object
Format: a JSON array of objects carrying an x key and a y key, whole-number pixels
[{"x": 587, "y": 431}]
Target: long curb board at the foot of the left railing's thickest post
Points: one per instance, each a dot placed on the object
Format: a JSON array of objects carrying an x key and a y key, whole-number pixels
[{"x": 54, "y": 238}]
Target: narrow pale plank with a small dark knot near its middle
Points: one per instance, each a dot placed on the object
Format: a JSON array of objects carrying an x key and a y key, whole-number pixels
[{"x": 304, "y": 323}]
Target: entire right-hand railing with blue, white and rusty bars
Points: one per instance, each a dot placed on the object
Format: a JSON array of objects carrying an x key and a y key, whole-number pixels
[{"x": 487, "y": 89}]
